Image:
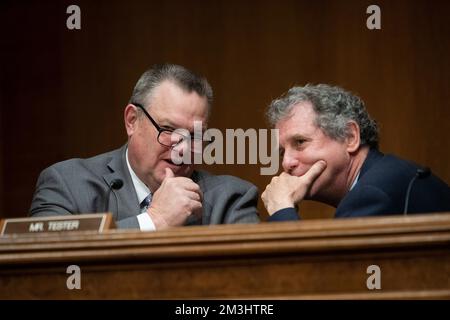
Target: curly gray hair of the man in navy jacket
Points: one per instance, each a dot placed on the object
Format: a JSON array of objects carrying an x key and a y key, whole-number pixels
[{"x": 334, "y": 108}]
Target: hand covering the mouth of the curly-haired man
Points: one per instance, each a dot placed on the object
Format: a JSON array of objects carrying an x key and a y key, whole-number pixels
[{"x": 286, "y": 191}]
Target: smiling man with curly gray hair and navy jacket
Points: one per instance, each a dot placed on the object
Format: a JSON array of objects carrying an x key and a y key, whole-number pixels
[{"x": 329, "y": 149}]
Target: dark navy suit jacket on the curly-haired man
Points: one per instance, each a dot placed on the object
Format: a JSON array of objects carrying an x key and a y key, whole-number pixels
[{"x": 381, "y": 190}]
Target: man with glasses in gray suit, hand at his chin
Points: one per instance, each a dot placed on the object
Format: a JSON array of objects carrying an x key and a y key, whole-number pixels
[{"x": 157, "y": 192}]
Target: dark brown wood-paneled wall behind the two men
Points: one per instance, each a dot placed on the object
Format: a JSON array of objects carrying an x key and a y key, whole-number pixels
[{"x": 62, "y": 92}]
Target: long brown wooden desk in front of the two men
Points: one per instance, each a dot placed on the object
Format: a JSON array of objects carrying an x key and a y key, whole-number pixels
[{"x": 323, "y": 259}]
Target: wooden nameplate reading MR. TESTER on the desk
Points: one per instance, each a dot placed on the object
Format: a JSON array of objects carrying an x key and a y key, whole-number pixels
[{"x": 82, "y": 222}]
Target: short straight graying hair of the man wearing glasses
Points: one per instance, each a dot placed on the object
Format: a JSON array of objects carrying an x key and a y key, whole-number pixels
[{"x": 184, "y": 78}]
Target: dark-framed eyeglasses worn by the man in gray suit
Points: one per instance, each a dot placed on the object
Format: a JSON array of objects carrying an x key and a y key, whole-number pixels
[{"x": 171, "y": 138}]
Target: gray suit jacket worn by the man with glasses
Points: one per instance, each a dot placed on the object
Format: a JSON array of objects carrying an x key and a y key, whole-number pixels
[{"x": 81, "y": 186}]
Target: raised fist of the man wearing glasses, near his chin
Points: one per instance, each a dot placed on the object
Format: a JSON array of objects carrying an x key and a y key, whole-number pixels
[{"x": 175, "y": 200}]
